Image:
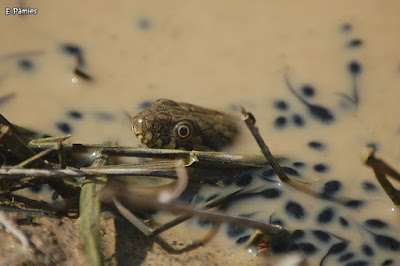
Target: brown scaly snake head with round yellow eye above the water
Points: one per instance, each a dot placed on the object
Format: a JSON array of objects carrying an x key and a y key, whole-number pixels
[{"x": 170, "y": 125}]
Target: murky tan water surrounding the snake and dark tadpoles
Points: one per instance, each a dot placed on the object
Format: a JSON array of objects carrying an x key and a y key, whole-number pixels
[{"x": 221, "y": 55}]
